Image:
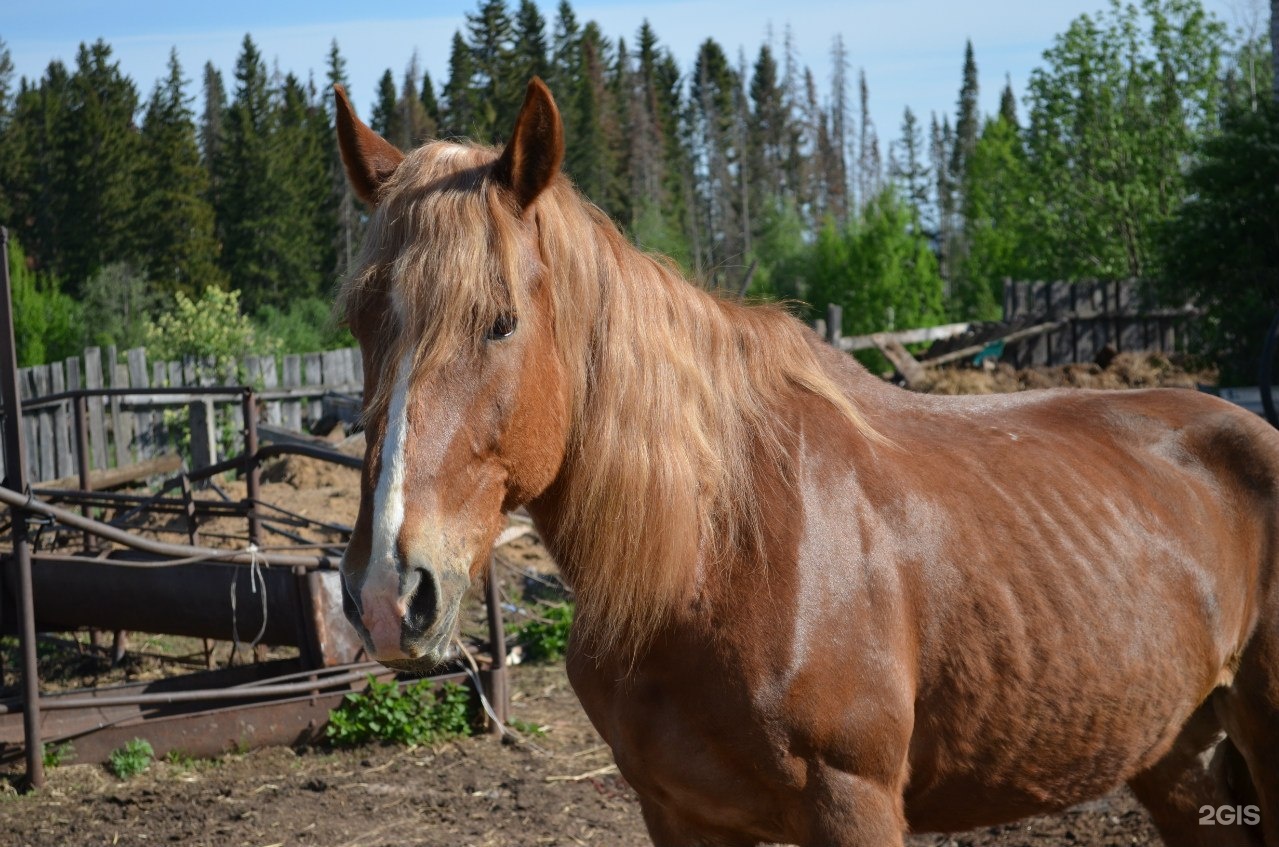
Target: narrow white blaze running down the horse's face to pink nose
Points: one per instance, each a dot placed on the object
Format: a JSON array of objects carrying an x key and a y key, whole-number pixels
[{"x": 382, "y": 603}]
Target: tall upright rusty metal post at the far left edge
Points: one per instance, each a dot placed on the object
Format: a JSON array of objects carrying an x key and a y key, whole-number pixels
[{"x": 16, "y": 484}]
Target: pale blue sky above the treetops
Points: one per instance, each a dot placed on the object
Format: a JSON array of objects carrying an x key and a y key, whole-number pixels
[{"x": 913, "y": 51}]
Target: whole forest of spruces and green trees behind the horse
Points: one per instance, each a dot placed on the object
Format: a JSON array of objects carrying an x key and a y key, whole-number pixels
[{"x": 1147, "y": 145}]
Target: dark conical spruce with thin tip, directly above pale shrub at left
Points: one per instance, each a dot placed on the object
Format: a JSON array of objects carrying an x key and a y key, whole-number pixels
[{"x": 177, "y": 240}]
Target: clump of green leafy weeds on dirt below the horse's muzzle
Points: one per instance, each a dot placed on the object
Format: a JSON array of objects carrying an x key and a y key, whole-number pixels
[{"x": 414, "y": 715}]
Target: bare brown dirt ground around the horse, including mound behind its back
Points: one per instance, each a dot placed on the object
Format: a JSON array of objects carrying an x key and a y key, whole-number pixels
[{"x": 557, "y": 786}]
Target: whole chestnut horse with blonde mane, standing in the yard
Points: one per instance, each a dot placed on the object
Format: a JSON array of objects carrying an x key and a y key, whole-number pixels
[{"x": 813, "y": 608}]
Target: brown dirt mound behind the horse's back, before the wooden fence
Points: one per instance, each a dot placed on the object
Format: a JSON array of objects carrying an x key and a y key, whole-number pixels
[{"x": 1124, "y": 370}]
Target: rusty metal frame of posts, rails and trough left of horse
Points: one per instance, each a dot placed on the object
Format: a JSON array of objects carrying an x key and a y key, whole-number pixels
[{"x": 273, "y": 711}]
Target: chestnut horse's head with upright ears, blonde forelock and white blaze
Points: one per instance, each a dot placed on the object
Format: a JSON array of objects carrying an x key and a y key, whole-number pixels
[{"x": 466, "y": 408}]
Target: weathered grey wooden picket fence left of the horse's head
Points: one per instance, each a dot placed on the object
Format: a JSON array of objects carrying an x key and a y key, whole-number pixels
[{"x": 296, "y": 392}]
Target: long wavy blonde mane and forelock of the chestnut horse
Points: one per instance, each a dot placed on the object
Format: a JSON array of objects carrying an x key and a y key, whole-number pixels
[{"x": 675, "y": 391}]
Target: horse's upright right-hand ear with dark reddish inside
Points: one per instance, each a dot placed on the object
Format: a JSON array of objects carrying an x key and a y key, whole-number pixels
[{"x": 537, "y": 148}]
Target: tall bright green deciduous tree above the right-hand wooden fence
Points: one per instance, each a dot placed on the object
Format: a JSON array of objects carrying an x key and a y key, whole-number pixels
[{"x": 1113, "y": 120}]
